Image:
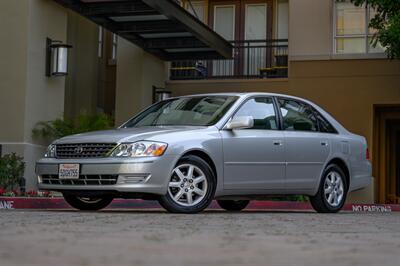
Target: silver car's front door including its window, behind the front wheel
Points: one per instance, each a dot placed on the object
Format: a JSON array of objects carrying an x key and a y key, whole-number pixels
[{"x": 254, "y": 157}]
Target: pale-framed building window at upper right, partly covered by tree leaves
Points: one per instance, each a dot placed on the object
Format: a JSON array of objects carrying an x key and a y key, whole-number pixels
[{"x": 352, "y": 34}]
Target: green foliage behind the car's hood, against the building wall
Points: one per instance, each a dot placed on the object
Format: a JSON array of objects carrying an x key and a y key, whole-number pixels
[{"x": 84, "y": 122}]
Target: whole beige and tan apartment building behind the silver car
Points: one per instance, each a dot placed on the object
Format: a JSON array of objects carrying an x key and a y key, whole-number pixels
[{"x": 316, "y": 49}]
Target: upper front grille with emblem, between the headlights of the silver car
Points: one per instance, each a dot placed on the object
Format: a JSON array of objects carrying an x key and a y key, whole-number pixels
[{"x": 83, "y": 150}]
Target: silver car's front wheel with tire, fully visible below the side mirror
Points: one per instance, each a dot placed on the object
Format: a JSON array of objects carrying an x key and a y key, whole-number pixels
[{"x": 191, "y": 186}]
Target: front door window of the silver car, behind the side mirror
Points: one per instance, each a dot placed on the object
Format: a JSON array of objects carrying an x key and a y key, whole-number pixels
[{"x": 263, "y": 113}]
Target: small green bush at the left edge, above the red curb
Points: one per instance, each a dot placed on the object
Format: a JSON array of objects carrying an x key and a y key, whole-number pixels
[{"x": 12, "y": 169}]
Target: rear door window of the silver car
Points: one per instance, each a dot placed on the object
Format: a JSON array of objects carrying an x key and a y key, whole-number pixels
[{"x": 297, "y": 116}]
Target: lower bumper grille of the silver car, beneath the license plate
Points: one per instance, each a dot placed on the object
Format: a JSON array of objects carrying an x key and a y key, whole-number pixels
[{"x": 84, "y": 180}]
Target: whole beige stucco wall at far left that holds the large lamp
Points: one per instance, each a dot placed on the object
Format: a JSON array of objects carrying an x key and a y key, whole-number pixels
[{"x": 26, "y": 94}]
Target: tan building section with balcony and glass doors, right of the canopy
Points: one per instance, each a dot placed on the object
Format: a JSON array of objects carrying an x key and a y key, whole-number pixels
[{"x": 316, "y": 49}]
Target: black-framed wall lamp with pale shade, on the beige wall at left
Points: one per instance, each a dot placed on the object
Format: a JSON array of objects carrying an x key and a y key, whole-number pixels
[{"x": 56, "y": 58}]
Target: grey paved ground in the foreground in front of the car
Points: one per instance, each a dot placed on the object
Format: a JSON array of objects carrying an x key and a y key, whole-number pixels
[{"x": 154, "y": 237}]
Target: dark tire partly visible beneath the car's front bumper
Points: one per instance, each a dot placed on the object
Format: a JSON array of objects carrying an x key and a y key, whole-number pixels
[{"x": 87, "y": 204}]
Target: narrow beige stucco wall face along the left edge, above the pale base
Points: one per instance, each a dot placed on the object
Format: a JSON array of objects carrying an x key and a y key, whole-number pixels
[{"x": 13, "y": 68}]
